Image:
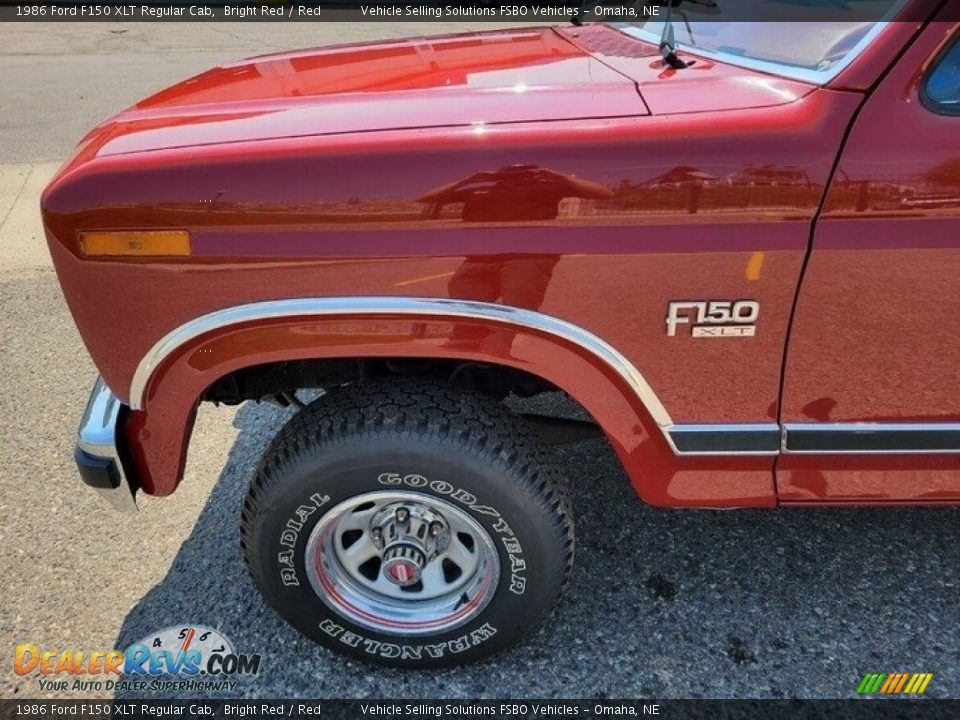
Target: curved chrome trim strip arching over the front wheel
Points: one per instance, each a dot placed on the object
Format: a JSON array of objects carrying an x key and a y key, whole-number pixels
[{"x": 321, "y": 307}]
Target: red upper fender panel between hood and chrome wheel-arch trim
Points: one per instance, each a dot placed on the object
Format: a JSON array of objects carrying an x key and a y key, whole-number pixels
[{"x": 268, "y": 221}]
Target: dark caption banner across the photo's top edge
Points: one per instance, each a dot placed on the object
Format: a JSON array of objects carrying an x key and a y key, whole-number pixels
[{"x": 543, "y": 12}]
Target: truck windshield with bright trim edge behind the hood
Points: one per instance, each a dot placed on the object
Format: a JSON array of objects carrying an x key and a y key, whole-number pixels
[{"x": 814, "y": 51}]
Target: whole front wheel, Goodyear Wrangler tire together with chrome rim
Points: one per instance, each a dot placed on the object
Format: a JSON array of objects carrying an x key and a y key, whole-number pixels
[{"x": 409, "y": 524}]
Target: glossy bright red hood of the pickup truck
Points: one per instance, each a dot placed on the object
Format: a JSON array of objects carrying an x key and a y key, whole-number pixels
[{"x": 519, "y": 75}]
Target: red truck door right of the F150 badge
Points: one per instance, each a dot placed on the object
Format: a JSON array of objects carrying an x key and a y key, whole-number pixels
[{"x": 871, "y": 399}]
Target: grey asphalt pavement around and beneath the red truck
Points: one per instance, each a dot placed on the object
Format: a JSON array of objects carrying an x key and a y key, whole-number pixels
[{"x": 663, "y": 604}]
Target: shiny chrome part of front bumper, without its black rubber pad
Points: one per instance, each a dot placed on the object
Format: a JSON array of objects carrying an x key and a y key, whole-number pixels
[{"x": 97, "y": 437}]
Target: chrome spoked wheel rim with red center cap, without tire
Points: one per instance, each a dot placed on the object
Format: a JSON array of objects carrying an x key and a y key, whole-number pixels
[{"x": 402, "y": 562}]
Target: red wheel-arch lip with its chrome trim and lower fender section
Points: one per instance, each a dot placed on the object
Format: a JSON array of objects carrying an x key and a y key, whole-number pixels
[{"x": 172, "y": 378}]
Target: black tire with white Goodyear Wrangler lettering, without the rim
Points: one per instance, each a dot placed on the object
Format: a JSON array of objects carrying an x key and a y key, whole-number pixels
[{"x": 353, "y": 441}]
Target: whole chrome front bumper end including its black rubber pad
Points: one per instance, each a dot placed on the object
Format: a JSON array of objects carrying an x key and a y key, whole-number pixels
[{"x": 98, "y": 459}]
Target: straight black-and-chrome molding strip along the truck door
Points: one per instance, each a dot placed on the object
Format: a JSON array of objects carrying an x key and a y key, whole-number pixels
[{"x": 869, "y": 438}]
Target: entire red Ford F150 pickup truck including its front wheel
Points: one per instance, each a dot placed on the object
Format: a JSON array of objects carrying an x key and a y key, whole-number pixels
[{"x": 738, "y": 253}]
